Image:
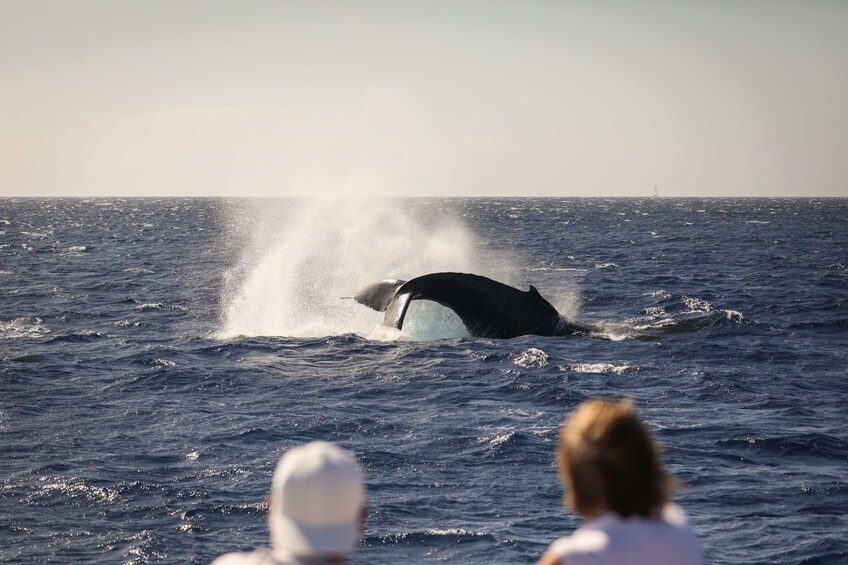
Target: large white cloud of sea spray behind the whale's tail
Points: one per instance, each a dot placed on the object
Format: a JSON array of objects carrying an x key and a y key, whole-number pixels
[{"x": 297, "y": 258}]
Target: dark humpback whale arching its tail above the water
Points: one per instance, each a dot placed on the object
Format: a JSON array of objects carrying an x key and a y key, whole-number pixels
[{"x": 486, "y": 307}]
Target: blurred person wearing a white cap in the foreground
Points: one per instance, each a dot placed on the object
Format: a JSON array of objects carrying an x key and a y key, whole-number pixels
[{"x": 315, "y": 511}]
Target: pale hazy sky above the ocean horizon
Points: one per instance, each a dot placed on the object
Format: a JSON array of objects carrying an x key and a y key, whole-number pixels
[{"x": 458, "y": 98}]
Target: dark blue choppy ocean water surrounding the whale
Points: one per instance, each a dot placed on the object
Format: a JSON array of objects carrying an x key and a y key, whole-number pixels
[{"x": 157, "y": 356}]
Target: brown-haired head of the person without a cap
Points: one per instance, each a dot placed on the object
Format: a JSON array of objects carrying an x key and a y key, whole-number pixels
[{"x": 608, "y": 461}]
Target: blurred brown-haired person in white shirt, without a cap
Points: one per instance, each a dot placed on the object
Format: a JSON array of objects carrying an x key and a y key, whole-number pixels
[{"x": 614, "y": 478}]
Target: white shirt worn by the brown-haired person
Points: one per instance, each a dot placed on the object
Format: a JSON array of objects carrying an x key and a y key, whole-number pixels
[{"x": 636, "y": 540}]
